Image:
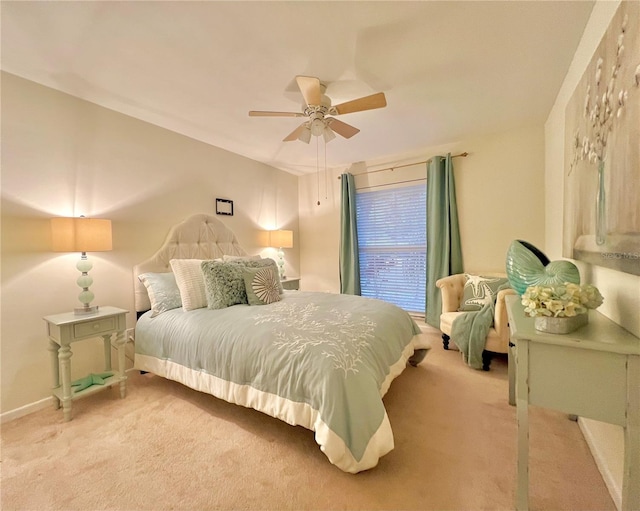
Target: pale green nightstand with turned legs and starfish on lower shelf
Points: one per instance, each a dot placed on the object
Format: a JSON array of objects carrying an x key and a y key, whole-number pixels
[{"x": 63, "y": 329}]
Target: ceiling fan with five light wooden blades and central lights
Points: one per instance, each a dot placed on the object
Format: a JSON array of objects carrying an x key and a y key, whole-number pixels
[{"x": 318, "y": 107}]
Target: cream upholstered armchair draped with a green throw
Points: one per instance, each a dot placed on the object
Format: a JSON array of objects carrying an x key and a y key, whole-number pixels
[{"x": 452, "y": 290}]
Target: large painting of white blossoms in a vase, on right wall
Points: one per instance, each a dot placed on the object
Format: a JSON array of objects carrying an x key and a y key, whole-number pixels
[{"x": 601, "y": 223}]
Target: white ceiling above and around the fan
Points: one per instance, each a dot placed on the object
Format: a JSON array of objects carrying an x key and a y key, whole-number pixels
[{"x": 450, "y": 70}]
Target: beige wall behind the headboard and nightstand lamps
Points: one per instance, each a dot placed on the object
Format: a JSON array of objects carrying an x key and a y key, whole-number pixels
[{"x": 62, "y": 156}]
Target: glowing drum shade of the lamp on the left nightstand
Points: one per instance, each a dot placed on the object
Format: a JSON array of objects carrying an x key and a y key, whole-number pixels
[{"x": 81, "y": 234}]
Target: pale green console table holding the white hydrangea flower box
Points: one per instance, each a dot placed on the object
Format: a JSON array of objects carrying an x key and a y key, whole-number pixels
[{"x": 593, "y": 372}]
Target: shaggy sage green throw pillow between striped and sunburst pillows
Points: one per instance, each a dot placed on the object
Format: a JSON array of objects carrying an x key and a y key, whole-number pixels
[{"x": 224, "y": 284}]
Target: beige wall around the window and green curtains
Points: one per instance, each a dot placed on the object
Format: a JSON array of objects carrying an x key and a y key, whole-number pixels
[{"x": 500, "y": 192}]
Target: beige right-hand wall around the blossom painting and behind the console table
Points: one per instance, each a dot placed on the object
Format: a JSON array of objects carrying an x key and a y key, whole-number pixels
[{"x": 621, "y": 290}]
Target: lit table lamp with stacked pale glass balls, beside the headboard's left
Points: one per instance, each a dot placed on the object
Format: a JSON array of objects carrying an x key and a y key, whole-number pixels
[{"x": 82, "y": 235}]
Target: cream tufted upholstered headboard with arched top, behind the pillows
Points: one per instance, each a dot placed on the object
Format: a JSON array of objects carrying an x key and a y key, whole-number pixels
[{"x": 197, "y": 237}]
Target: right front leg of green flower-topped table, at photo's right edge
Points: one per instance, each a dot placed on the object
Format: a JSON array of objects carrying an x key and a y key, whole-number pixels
[{"x": 631, "y": 470}]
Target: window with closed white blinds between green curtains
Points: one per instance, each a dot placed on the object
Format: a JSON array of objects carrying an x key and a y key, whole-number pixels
[{"x": 392, "y": 225}]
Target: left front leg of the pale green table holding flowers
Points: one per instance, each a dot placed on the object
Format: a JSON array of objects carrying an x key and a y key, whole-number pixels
[{"x": 522, "y": 412}]
